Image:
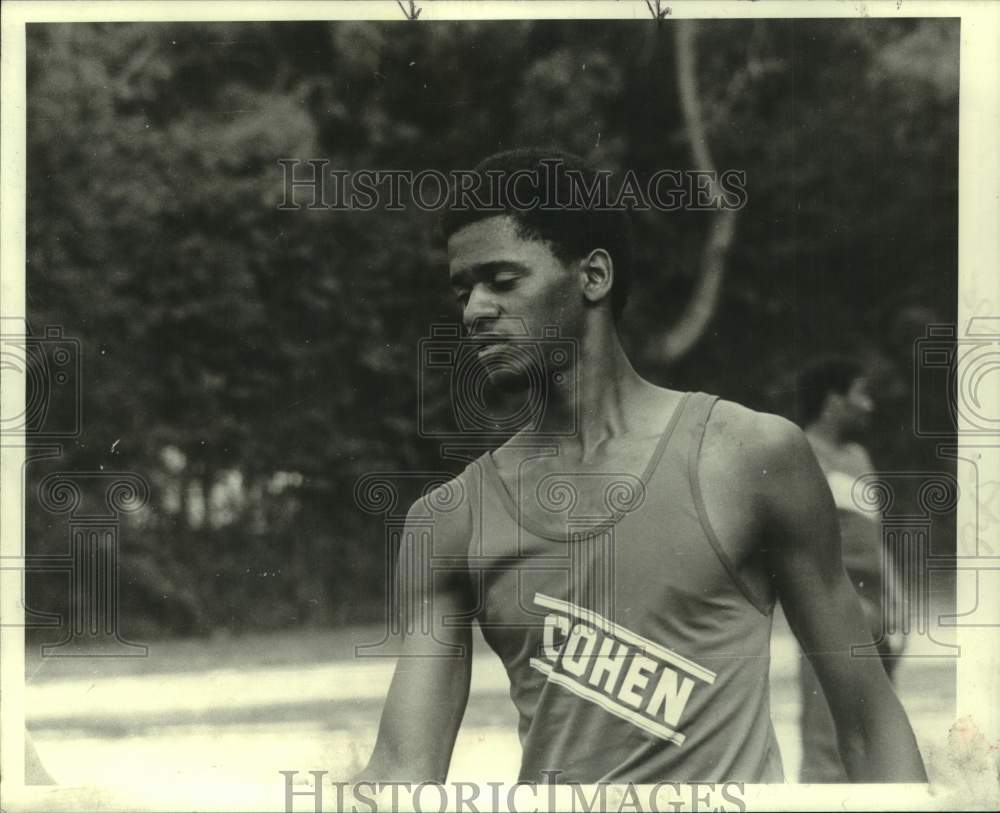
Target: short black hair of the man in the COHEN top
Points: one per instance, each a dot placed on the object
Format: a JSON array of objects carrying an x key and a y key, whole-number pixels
[{"x": 572, "y": 231}]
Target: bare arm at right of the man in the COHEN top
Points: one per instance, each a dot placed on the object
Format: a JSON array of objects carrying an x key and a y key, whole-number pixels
[{"x": 874, "y": 736}]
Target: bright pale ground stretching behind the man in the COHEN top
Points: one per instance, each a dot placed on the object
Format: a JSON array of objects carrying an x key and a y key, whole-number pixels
[{"x": 241, "y": 709}]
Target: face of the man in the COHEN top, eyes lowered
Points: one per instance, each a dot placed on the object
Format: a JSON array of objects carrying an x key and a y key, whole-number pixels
[{"x": 510, "y": 287}]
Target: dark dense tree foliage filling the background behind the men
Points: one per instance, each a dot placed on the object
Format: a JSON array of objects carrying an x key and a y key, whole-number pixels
[{"x": 255, "y": 341}]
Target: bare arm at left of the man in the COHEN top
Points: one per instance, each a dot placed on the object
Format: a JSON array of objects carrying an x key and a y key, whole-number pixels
[{"x": 430, "y": 687}]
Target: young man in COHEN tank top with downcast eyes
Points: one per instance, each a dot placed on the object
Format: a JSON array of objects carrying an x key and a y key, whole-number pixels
[{"x": 623, "y": 556}]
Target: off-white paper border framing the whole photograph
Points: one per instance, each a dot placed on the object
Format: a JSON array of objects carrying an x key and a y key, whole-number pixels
[{"x": 978, "y": 673}]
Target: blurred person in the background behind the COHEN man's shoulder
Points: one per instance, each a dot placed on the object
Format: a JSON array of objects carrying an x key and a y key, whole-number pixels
[{"x": 835, "y": 408}]
